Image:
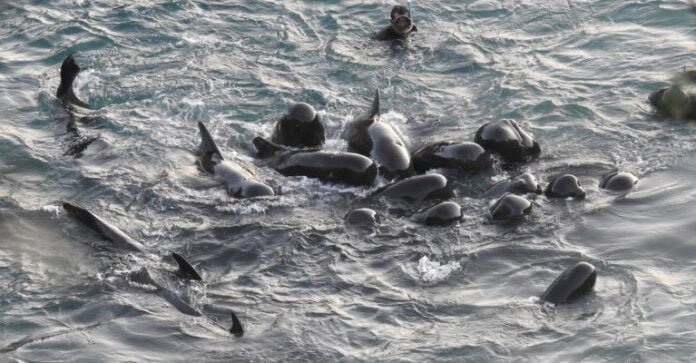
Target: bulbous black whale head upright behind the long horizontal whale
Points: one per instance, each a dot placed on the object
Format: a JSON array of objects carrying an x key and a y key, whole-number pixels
[{"x": 301, "y": 127}]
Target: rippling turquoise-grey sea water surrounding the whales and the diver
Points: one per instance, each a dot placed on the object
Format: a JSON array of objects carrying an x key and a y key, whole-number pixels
[{"x": 575, "y": 73}]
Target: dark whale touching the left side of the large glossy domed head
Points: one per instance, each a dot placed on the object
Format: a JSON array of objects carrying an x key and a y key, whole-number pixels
[{"x": 461, "y": 156}]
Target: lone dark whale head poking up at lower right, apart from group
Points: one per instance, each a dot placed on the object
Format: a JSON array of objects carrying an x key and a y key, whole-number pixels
[{"x": 572, "y": 284}]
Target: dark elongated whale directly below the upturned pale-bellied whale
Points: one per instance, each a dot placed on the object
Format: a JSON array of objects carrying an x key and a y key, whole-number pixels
[{"x": 418, "y": 188}]
